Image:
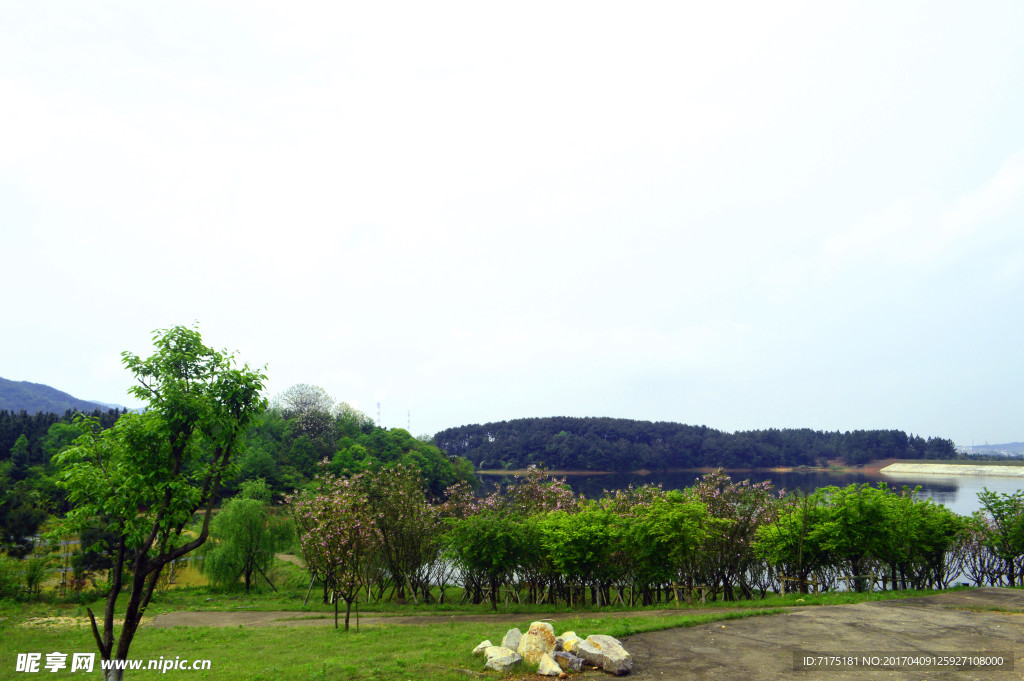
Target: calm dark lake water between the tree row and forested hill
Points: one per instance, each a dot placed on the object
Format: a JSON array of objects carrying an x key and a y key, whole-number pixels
[{"x": 959, "y": 493}]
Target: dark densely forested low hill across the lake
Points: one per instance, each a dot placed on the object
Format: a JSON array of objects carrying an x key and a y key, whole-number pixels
[{"x": 606, "y": 444}]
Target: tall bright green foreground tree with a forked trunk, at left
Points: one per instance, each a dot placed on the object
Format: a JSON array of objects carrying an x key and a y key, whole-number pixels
[{"x": 151, "y": 473}]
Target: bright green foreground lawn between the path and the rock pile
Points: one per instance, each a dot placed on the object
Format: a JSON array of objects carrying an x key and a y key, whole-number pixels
[{"x": 380, "y": 653}]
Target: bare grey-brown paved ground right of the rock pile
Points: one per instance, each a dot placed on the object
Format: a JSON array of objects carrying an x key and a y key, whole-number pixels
[{"x": 758, "y": 649}]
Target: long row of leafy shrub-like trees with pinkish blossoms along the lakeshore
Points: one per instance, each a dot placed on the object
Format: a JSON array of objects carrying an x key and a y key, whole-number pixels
[{"x": 535, "y": 541}]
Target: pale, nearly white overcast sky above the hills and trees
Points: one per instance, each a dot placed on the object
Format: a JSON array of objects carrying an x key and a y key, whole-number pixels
[{"x": 739, "y": 215}]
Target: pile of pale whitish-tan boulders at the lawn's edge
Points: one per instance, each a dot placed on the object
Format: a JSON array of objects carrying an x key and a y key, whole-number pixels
[{"x": 556, "y": 656}]
